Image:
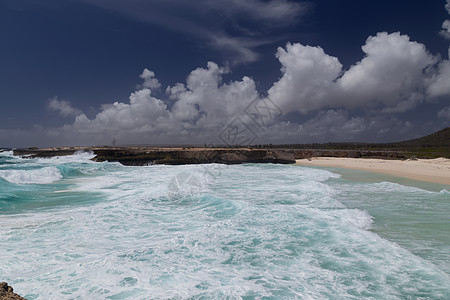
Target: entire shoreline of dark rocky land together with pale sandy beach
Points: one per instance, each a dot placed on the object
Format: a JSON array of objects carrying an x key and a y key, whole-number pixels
[{"x": 429, "y": 170}]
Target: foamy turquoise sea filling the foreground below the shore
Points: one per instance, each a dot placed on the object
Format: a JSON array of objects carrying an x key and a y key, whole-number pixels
[{"x": 75, "y": 229}]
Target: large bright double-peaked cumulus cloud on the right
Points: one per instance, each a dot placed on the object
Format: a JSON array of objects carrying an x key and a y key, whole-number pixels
[{"x": 393, "y": 74}]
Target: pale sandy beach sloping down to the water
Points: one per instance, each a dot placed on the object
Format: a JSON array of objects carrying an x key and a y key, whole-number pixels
[{"x": 431, "y": 170}]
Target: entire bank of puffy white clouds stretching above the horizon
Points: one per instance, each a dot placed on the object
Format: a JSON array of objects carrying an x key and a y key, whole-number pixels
[{"x": 395, "y": 75}]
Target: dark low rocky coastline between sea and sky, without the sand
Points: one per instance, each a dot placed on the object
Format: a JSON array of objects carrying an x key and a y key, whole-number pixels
[{"x": 141, "y": 156}]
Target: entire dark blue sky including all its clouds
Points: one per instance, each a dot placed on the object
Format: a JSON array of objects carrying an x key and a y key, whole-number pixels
[{"x": 215, "y": 72}]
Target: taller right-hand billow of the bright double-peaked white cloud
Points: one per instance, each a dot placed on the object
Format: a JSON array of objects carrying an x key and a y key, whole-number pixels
[{"x": 392, "y": 73}]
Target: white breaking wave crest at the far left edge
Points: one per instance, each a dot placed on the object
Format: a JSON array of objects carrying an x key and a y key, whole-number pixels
[{"x": 37, "y": 176}]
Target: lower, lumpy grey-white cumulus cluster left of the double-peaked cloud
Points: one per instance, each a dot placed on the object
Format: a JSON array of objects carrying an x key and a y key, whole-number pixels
[{"x": 202, "y": 106}]
